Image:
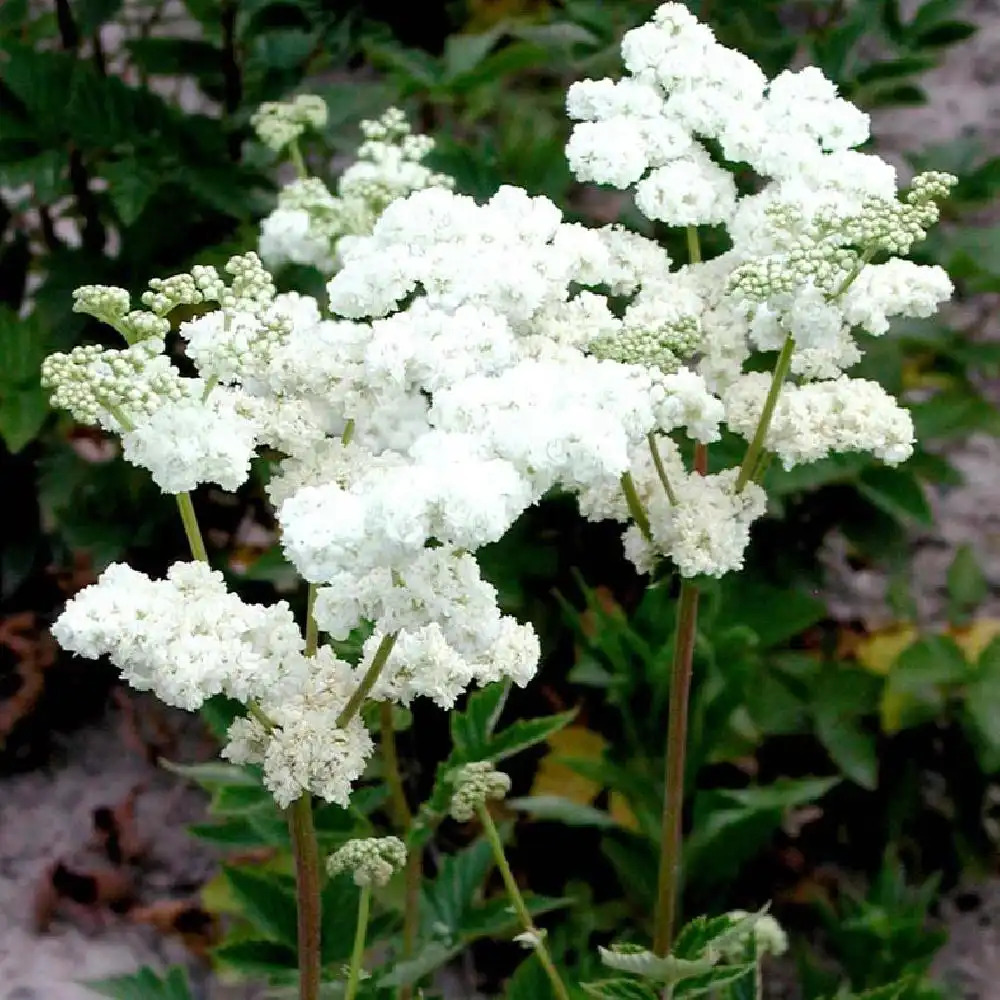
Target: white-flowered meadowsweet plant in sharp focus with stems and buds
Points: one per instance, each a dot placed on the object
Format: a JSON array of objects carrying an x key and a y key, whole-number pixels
[{"x": 474, "y": 358}]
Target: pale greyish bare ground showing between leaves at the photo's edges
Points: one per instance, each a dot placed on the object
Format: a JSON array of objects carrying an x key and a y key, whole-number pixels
[{"x": 46, "y": 814}]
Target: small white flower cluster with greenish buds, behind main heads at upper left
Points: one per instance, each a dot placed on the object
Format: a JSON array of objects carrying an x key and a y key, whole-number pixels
[{"x": 310, "y": 221}]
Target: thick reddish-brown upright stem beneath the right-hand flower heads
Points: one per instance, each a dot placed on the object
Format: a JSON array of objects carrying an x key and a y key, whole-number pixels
[{"x": 669, "y": 877}]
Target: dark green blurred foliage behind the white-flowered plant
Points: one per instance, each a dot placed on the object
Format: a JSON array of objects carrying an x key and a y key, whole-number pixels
[{"x": 125, "y": 153}]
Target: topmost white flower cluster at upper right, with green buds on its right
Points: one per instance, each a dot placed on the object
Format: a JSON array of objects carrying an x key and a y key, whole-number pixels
[{"x": 801, "y": 243}]
